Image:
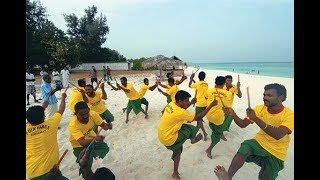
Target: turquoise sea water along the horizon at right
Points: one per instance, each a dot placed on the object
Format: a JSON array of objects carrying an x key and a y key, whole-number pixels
[{"x": 275, "y": 69}]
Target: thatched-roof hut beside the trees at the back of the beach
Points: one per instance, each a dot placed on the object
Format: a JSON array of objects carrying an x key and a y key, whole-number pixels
[{"x": 162, "y": 62}]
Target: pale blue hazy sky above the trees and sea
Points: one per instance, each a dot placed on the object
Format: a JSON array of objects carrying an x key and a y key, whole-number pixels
[{"x": 195, "y": 31}]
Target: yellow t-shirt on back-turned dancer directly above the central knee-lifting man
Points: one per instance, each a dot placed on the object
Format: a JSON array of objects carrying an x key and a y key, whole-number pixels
[{"x": 201, "y": 88}]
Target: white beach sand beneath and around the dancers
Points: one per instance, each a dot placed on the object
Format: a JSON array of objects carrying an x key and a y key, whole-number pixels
[{"x": 136, "y": 153}]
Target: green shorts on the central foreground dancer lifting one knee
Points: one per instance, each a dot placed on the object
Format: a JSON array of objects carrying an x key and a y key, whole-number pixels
[{"x": 186, "y": 131}]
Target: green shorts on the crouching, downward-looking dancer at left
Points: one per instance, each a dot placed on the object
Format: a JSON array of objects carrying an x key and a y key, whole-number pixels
[{"x": 100, "y": 149}]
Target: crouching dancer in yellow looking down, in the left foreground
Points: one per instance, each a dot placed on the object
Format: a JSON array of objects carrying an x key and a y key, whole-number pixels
[{"x": 81, "y": 133}]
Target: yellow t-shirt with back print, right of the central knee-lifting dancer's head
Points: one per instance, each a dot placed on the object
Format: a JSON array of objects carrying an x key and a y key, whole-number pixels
[{"x": 216, "y": 114}]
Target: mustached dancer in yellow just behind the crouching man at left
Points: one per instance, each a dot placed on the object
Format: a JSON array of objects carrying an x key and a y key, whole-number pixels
[{"x": 96, "y": 103}]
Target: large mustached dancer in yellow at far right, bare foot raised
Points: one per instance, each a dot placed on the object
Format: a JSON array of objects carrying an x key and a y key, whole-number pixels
[{"x": 268, "y": 149}]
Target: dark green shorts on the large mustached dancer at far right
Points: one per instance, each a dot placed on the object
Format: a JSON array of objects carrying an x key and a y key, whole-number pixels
[{"x": 270, "y": 165}]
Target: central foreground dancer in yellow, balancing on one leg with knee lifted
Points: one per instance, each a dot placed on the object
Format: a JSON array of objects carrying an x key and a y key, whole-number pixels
[{"x": 173, "y": 132}]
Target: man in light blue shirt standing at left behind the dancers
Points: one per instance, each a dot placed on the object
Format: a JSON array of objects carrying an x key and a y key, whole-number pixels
[{"x": 49, "y": 97}]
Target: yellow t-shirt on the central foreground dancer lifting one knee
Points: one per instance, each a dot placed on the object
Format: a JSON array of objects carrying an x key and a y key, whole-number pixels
[{"x": 171, "y": 122}]
